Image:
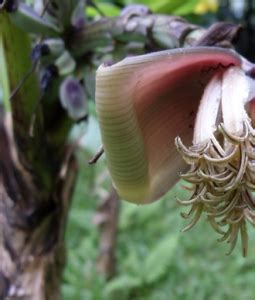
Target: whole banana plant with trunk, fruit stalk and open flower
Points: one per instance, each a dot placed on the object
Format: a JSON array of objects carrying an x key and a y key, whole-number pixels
[{"x": 47, "y": 52}]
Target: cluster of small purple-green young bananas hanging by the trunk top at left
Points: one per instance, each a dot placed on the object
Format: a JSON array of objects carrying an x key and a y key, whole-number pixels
[{"x": 48, "y": 23}]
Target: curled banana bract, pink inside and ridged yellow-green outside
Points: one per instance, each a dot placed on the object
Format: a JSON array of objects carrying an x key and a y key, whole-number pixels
[{"x": 143, "y": 103}]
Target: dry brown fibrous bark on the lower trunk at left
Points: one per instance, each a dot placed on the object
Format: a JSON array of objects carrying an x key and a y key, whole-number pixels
[{"x": 32, "y": 222}]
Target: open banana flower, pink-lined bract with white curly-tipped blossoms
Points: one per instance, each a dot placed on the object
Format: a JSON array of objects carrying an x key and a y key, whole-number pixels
[{"x": 189, "y": 111}]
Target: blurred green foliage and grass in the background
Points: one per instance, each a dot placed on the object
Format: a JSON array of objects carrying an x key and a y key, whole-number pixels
[{"x": 155, "y": 260}]
